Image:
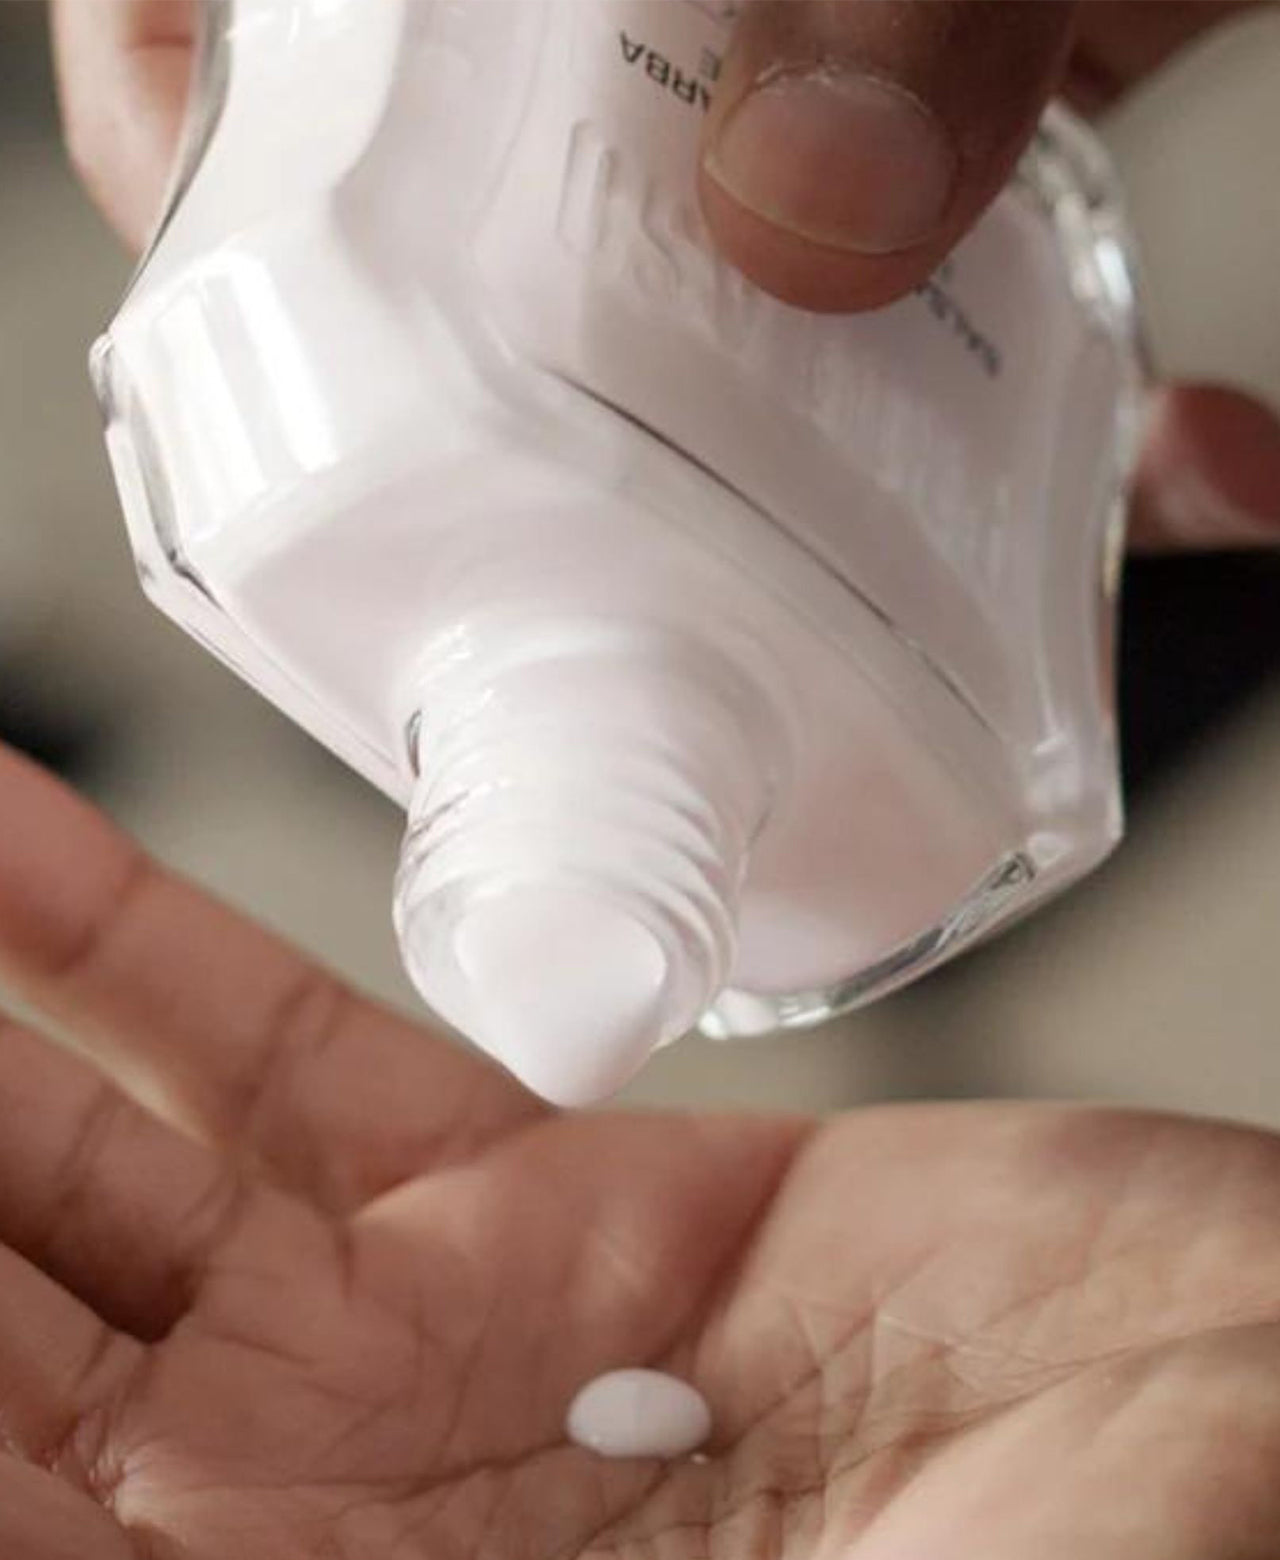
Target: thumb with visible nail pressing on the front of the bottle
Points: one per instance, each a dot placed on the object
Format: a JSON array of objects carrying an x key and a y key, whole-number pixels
[{"x": 852, "y": 143}]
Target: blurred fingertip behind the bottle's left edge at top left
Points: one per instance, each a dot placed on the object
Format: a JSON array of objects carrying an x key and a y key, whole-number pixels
[{"x": 122, "y": 74}]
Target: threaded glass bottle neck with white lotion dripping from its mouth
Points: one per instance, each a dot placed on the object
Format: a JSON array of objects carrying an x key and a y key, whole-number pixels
[{"x": 585, "y": 807}]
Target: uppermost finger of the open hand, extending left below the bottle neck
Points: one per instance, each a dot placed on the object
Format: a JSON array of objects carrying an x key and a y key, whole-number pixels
[{"x": 224, "y": 1029}]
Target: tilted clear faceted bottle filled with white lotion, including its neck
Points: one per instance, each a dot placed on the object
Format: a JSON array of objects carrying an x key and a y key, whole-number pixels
[{"x": 734, "y": 665}]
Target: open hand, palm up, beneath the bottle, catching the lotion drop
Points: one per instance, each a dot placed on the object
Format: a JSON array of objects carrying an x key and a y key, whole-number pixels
[{"x": 336, "y": 1303}]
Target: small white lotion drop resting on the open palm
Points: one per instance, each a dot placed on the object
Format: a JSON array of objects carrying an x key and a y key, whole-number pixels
[{"x": 638, "y": 1414}]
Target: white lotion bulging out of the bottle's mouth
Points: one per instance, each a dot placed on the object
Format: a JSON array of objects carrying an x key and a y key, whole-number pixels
[{"x": 564, "y": 988}]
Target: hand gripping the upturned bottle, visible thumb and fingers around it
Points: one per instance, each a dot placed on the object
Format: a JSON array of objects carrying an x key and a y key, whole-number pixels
[{"x": 847, "y": 151}]
